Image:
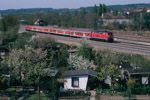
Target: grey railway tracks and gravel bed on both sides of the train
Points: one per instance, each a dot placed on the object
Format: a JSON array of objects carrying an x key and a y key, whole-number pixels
[{"x": 122, "y": 44}]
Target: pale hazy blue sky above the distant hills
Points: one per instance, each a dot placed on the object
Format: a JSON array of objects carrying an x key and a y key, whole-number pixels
[{"x": 17, "y": 4}]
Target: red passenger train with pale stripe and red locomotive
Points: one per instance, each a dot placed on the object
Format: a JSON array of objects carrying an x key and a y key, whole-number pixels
[{"x": 96, "y": 35}]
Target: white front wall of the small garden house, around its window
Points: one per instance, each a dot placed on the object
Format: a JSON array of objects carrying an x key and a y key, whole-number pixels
[{"x": 83, "y": 79}]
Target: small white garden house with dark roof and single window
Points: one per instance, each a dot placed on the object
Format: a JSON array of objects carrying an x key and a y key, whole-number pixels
[{"x": 79, "y": 79}]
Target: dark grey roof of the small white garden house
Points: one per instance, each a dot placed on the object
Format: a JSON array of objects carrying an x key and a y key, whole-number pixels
[{"x": 80, "y": 72}]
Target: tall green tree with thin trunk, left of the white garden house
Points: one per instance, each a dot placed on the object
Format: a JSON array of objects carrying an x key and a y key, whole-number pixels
[{"x": 34, "y": 63}]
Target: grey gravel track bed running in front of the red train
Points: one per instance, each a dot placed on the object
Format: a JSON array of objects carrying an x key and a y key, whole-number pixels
[{"x": 118, "y": 46}]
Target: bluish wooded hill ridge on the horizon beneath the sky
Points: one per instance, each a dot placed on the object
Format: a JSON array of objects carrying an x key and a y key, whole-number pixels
[{"x": 88, "y": 9}]
